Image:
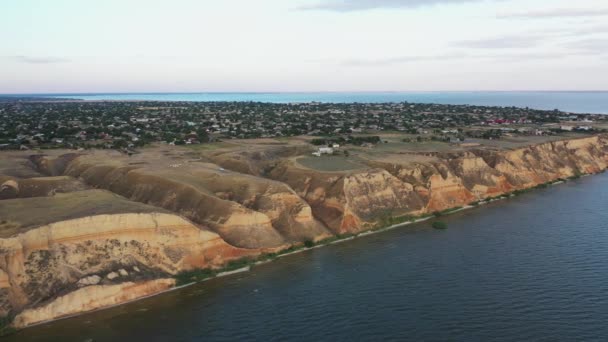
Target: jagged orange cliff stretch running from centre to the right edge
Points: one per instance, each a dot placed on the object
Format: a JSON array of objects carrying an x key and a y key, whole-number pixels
[{"x": 350, "y": 202}]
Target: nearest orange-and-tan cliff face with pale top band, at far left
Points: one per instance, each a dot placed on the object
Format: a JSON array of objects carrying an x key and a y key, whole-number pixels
[{"x": 60, "y": 258}]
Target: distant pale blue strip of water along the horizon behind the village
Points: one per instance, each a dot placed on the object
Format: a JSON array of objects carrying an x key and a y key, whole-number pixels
[{"x": 581, "y": 102}]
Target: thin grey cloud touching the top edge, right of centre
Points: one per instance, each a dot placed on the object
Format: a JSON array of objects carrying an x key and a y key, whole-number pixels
[{"x": 361, "y": 5}]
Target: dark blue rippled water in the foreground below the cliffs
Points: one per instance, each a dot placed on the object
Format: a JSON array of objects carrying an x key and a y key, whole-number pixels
[{"x": 531, "y": 268}]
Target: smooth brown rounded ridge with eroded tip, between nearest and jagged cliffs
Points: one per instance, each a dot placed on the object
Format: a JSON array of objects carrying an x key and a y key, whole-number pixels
[{"x": 246, "y": 211}]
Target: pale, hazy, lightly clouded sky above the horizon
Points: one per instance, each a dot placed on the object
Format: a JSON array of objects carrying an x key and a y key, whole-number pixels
[{"x": 59, "y": 46}]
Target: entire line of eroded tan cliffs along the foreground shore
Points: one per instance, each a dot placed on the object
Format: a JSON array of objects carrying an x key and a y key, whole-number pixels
[{"x": 175, "y": 215}]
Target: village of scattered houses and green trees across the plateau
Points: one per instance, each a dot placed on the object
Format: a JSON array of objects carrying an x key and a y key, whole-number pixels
[{"x": 27, "y": 124}]
